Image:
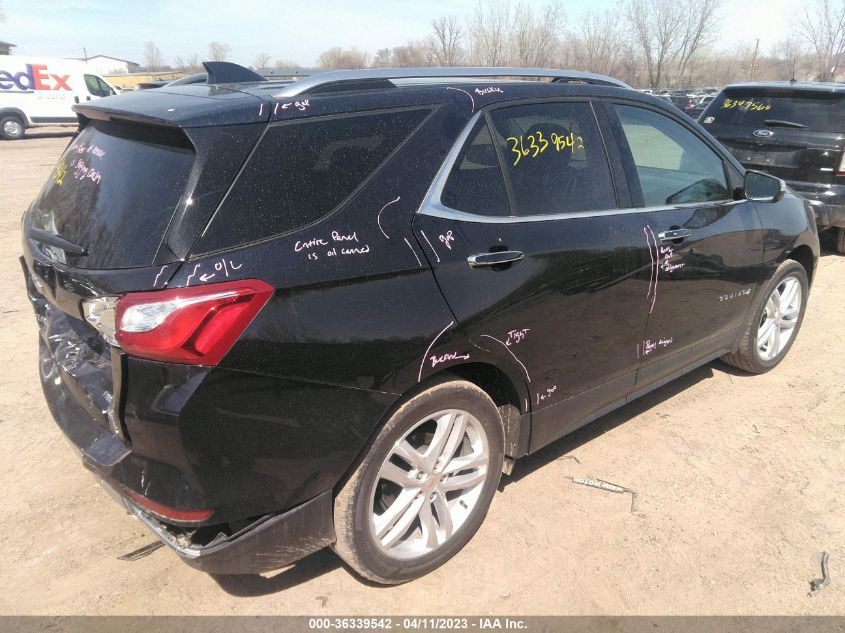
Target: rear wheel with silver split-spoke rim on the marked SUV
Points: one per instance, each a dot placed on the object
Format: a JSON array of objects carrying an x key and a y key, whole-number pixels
[{"x": 392, "y": 532}]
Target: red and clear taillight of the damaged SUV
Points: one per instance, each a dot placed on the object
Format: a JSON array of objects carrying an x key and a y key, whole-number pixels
[{"x": 195, "y": 325}]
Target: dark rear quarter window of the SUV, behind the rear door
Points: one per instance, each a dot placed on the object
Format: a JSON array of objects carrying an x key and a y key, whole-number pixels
[{"x": 302, "y": 171}]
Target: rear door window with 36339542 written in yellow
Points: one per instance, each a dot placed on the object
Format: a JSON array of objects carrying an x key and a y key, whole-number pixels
[{"x": 554, "y": 158}]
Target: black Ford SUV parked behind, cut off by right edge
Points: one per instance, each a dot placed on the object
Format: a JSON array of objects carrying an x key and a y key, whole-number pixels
[{"x": 792, "y": 130}]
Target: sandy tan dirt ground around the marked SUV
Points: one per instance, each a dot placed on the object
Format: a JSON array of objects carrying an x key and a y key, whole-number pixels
[{"x": 741, "y": 483}]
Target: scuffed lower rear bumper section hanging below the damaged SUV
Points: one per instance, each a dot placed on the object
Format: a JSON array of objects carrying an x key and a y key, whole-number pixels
[{"x": 267, "y": 543}]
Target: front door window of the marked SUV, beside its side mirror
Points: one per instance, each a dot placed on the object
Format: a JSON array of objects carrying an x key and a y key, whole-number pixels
[{"x": 673, "y": 164}]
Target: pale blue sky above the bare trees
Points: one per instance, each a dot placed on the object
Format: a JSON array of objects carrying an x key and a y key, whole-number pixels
[{"x": 296, "y": 30}]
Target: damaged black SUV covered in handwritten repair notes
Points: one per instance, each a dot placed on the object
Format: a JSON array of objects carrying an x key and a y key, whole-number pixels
[{"x": 279, "y": 317}]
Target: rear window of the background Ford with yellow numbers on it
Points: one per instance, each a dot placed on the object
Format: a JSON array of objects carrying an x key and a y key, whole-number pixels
[{"x": 820, "y": 111}]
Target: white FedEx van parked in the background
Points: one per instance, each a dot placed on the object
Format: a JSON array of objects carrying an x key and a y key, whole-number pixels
[{"x": 37, "y": 91}]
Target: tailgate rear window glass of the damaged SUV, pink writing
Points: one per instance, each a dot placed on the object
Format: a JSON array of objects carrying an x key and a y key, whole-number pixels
[{"x": 113, "y": 193}]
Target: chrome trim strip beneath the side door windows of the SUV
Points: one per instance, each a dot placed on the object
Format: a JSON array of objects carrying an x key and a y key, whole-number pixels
[{"x": 433, "y": 207}]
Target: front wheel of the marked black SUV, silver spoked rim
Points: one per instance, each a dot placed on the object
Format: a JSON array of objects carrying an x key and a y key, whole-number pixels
[{"x": 772, "y": 329}]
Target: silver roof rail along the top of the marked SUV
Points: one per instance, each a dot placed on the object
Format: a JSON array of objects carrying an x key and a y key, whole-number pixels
[{"x": 342, "y": 80}]
